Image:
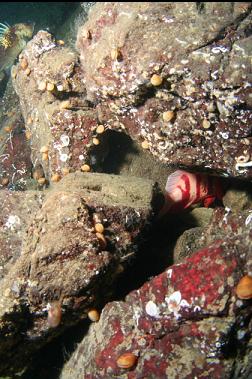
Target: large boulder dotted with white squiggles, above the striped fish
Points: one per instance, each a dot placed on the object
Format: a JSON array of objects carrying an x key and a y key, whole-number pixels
[{"x": 202, "y": 56}]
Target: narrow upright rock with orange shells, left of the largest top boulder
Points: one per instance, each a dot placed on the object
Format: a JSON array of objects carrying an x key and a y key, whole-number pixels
[{"x": 59, "y": 120}]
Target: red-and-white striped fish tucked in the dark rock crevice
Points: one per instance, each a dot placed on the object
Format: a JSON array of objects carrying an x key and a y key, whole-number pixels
[{"x": 185, "y": 188}]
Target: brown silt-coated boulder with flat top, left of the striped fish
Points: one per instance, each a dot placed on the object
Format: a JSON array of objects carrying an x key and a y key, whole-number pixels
[{"x": 64, "y": 260}]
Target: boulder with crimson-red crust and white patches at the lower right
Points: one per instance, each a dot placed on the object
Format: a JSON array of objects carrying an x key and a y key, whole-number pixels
[{"x": 186, "y": 322}]
